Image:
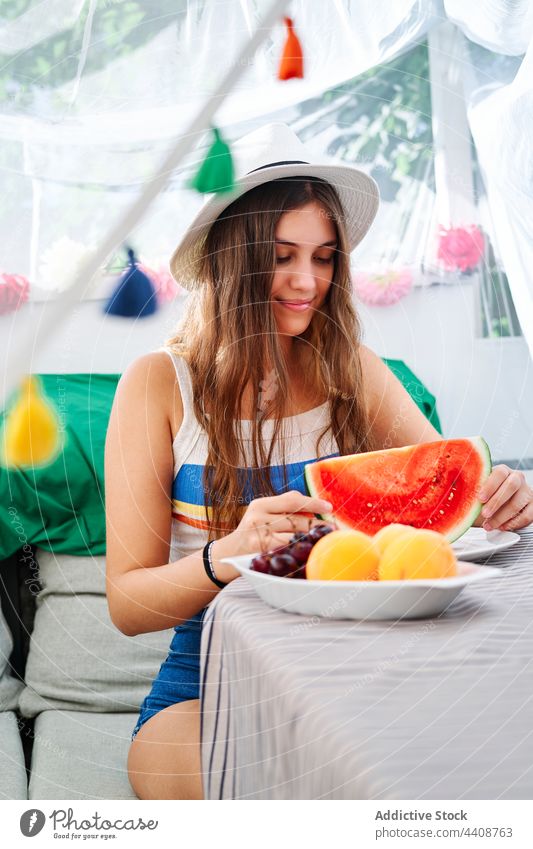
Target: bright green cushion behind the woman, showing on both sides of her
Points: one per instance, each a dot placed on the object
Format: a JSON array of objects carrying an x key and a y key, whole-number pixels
[{"x": 60, "y": 507}]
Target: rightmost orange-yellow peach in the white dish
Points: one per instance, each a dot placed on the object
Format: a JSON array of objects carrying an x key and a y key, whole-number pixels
[{"x": 422, "y": 554}]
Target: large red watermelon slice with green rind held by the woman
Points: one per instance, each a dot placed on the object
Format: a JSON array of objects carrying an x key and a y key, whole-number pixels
[{"x": 433, "y": 485}]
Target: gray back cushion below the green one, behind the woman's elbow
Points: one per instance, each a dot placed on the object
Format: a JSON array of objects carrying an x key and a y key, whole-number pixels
[{"x": 78, "y": 659}]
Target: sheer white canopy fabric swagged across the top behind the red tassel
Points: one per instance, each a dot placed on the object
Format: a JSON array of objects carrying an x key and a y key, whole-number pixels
[{"x": 148, "y": 94}]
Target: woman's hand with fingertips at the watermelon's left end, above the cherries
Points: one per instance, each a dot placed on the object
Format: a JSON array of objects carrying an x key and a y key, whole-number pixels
[{"x": 267, "y": 523}]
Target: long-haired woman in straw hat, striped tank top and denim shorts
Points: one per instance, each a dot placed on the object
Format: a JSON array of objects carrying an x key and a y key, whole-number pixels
[{"x": 266, "y": 373}]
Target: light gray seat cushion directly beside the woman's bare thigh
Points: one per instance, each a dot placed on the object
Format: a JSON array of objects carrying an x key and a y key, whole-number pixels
[{"x": 79, "y": 755}]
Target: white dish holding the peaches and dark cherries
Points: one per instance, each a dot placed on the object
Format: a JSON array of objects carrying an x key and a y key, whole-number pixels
[{"x": 412, "y": 599}]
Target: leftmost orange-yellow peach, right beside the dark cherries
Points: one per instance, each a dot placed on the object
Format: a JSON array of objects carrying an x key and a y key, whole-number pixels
[{"x": 343, "y": 556}]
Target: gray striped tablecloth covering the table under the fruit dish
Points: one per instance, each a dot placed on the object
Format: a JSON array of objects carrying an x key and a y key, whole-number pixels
[{"x": 300, "y": 707}]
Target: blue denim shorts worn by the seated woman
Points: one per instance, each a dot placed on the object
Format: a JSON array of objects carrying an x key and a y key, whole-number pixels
[{"x": 178, "y": 679}]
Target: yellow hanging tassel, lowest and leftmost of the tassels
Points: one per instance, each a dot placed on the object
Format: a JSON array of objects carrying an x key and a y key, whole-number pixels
[{"x": 31, "y": 431}]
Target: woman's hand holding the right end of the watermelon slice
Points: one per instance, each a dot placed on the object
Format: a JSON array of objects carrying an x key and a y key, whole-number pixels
[{"x": 507, "y": 500}]
